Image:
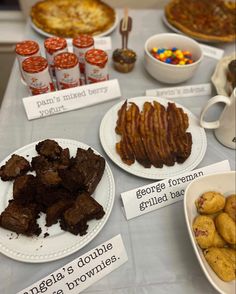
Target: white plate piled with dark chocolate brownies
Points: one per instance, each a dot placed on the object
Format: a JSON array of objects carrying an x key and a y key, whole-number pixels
[{"x": 57, "y": 195}]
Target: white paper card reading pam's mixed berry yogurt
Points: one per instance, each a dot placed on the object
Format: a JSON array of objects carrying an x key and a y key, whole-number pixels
[{"x": 69, "y": 99}]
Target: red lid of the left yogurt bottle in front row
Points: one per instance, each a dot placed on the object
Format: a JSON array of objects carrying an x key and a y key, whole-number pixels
[{"x": 34, "y": 64}]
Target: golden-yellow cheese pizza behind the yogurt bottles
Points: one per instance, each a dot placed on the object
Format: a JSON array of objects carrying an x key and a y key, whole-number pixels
[{"x": 68, "y": 18}]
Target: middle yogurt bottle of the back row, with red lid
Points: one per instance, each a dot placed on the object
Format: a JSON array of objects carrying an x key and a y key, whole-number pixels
[{"x": 54, "y": 46}]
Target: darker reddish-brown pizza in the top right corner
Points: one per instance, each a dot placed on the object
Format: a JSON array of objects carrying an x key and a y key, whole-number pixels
[{"x": 203, "y": 19}]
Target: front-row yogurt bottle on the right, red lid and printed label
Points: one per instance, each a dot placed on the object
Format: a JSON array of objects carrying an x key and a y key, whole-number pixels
[{"x": 96, "y": 69}]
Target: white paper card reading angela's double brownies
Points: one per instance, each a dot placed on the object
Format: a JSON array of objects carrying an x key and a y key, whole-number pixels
[{"x": 84, "y": 271}]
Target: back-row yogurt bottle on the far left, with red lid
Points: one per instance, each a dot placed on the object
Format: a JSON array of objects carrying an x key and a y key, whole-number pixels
[{"x": 24, "y": 50}]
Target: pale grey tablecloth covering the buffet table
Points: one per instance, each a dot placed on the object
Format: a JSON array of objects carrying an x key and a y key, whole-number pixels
[{"x": 160, "y": 255}]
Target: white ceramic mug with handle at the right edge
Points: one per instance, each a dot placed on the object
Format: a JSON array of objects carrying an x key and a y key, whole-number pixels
[{"x": 224, "y": 127}]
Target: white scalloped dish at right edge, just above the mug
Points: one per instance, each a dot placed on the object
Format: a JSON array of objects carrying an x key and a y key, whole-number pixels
[{"x": 219, "y": 78}]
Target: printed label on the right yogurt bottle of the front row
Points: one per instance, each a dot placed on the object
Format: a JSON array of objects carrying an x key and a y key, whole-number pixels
[{"x": 95, "y": 73}]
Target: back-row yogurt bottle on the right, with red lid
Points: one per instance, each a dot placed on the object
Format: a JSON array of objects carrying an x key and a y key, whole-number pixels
[{"x": 81, "y": 44}]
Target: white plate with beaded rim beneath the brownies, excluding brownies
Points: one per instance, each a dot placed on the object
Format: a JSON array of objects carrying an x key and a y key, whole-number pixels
[{"x": 59, "y": 243}]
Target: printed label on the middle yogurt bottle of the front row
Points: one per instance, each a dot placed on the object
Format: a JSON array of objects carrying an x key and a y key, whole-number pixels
[{"x": 68, "y": 78}]
